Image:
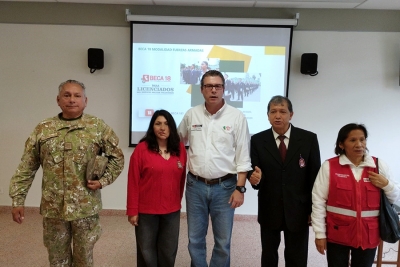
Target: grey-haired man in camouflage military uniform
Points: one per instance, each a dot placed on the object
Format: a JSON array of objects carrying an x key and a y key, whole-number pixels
[{"x": 63, "y": 146}]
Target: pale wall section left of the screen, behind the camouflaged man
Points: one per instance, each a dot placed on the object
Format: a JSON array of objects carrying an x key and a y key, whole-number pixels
[{"x": 35, "y": 59}]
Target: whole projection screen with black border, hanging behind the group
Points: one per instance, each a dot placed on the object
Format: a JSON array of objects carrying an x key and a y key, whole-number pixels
[{"x": 169, "y": 58}]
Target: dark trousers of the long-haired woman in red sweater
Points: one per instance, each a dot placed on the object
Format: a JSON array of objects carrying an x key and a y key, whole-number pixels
[{"x": 157, "y": 238}]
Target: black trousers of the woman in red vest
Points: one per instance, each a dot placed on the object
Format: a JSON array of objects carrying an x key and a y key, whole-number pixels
[{"x": 338, "y": 256}]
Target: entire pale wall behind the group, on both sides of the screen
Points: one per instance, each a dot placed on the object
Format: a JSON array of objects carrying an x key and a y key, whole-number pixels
[{"x": 358, "y": 81}]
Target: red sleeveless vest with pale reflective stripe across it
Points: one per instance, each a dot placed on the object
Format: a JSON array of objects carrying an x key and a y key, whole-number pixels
[{"x": 352, "y": 208}]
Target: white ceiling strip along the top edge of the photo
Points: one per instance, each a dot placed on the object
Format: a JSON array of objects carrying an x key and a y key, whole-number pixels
[{"x": 340, "y": 4}]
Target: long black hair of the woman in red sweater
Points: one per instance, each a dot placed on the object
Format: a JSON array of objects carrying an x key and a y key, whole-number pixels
[{"x": 173, "y": 140}]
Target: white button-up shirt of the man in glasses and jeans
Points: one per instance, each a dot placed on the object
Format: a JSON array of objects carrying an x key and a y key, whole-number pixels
[{"x": 218, "y": 144}]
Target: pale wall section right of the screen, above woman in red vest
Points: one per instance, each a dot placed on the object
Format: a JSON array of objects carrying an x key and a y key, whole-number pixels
[{"x": 358, "y": 81}]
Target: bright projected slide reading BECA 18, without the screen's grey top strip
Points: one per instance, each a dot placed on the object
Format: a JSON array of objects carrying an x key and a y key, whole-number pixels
[{"x": 167, "y": 76}]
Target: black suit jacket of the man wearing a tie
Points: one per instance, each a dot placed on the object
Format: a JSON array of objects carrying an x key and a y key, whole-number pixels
[{"x": 285, "y": 187}]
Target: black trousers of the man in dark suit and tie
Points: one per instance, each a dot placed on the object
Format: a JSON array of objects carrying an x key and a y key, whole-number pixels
[{"x": 296, "y": 247}]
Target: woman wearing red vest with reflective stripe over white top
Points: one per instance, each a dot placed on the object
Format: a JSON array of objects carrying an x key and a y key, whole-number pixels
[{"x": 346, "y": 199}]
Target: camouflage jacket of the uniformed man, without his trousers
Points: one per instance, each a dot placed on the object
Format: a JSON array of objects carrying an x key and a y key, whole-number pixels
[{"x": 63, "y": 149}]
